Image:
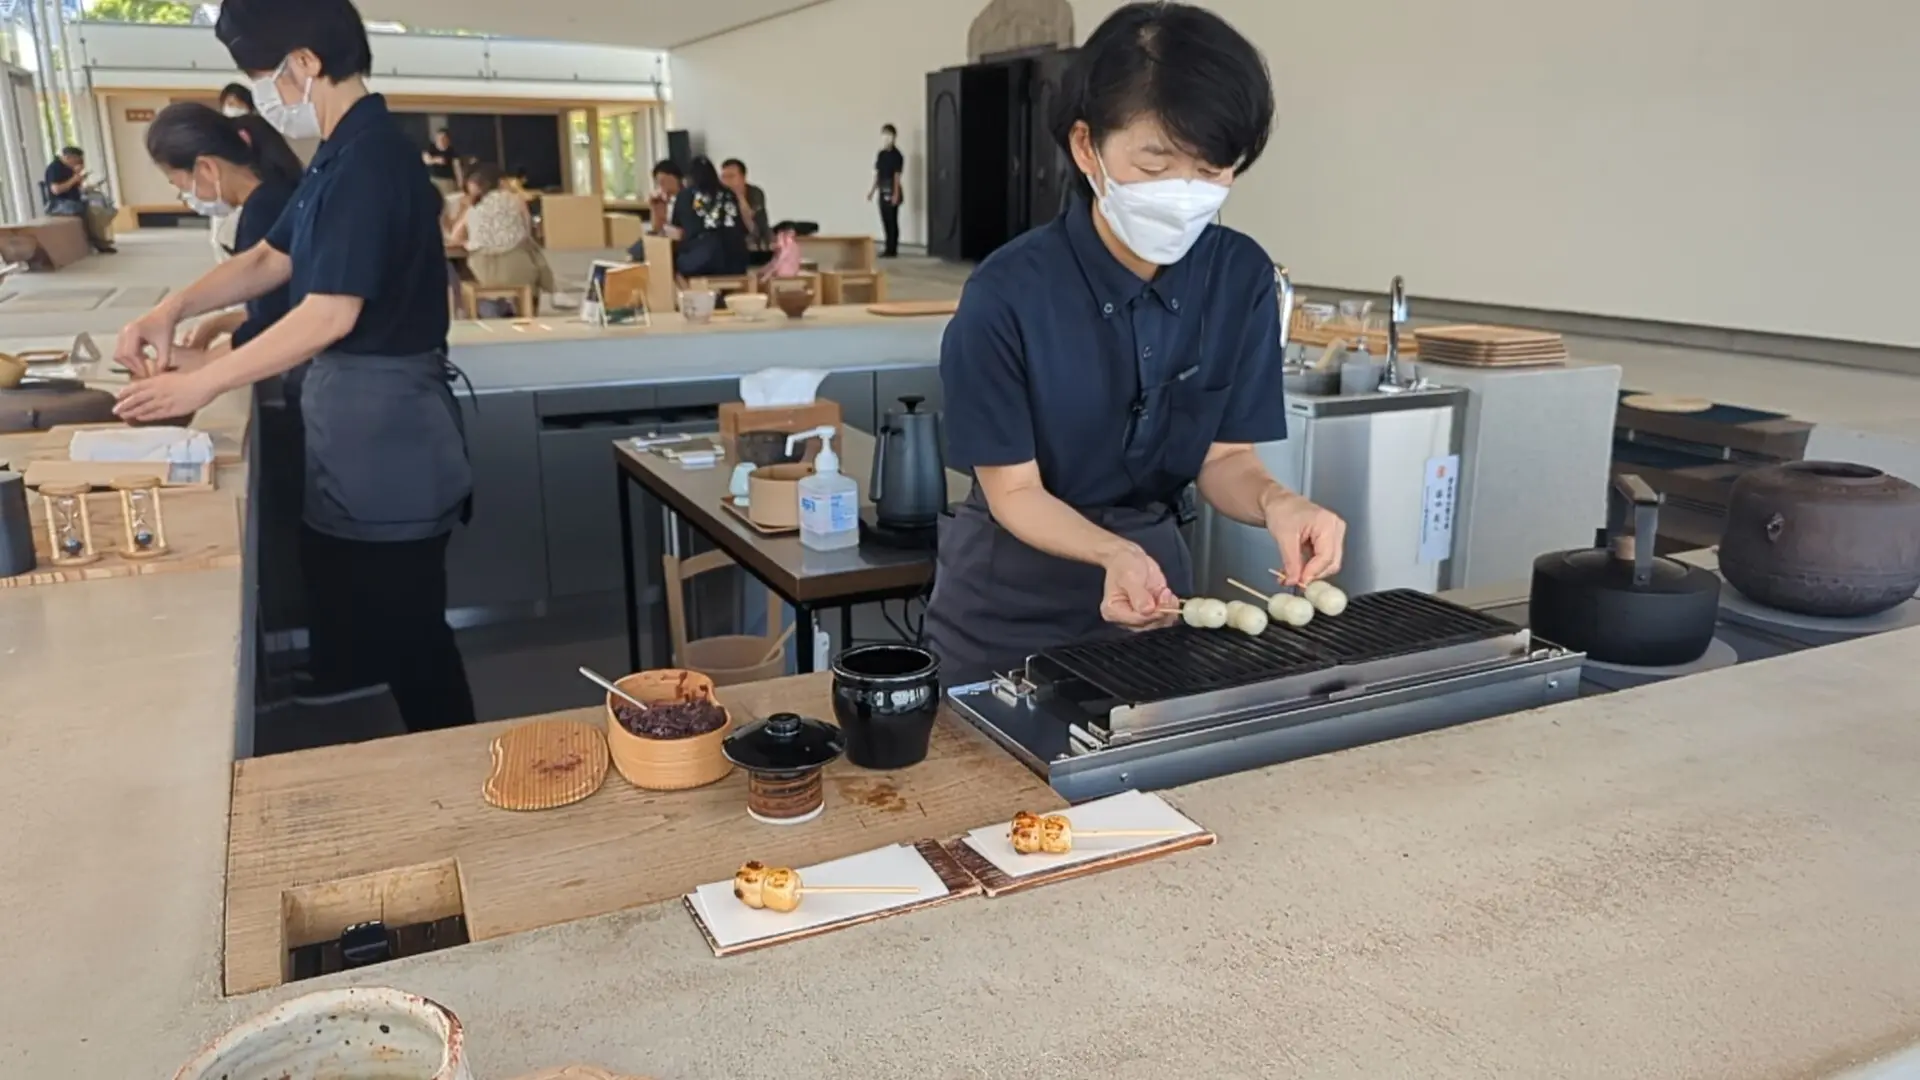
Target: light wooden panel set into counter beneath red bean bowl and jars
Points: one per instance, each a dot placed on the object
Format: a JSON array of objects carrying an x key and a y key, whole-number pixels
[{"x": 339, "y": 818}]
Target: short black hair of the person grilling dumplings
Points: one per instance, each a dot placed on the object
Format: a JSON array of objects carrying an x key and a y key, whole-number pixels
[{"x": 1182, "y": 64}]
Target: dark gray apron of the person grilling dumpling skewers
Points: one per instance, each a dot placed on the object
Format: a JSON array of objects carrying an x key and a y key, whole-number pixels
[{"x": 997, "y": 601}]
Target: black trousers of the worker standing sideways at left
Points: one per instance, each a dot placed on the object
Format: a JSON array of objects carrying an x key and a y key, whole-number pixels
[{"x": 379, "y": 614}]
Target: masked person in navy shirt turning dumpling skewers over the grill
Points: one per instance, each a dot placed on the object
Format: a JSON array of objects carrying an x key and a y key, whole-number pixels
[{"x": 1101, "y": 366}]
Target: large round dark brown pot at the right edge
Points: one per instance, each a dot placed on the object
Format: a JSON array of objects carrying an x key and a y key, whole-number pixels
[{"x": 1823, "y": 539}]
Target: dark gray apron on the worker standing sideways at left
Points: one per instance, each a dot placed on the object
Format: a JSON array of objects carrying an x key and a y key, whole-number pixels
[{"x": 387, "y": 447}]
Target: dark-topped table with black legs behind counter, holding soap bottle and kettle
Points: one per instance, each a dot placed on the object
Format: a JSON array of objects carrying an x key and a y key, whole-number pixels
[{"x": 809, "y": 581}]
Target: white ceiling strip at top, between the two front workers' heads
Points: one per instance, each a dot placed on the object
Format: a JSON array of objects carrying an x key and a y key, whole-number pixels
[{"x": 650, "y": 24}]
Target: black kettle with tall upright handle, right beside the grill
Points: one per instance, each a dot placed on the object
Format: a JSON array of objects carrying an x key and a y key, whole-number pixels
[{"x": 1620, "y": 602}]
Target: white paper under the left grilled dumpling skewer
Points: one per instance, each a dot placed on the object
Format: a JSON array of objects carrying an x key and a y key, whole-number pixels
[{"x": 732, "y": 923}]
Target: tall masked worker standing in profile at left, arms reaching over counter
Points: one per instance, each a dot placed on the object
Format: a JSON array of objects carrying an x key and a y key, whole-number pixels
[{"x": 387, "y": 474}]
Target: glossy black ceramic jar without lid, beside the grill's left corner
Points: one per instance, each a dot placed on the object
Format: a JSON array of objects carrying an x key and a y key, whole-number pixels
[{"x": 886, "y": 700}]
